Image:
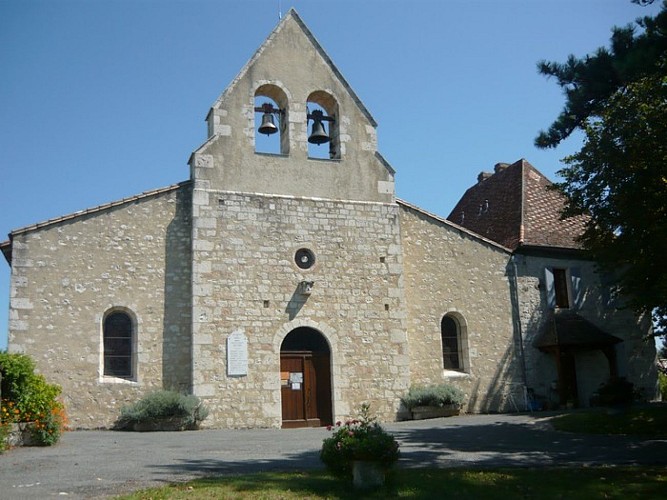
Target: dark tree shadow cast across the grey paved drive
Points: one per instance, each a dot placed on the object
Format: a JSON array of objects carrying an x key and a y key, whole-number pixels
[{"x": 456, "y": 444}]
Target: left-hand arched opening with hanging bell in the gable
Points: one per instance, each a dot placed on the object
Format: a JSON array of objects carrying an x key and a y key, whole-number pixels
[{"x": 270, "y": 105}]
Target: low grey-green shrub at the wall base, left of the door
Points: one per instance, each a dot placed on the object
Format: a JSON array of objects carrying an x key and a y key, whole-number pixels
[{"x": 186, "y": 410}]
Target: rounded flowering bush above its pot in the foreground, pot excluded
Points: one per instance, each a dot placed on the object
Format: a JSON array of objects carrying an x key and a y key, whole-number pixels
[{"x": 362, "y": 439}]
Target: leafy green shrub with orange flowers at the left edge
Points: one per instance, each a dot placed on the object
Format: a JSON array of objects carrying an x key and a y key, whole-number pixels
[{"x": 28, "y": 397}]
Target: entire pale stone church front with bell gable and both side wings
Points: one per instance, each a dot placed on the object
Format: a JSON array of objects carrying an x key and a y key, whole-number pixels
[{"x": 286, "y": 288}]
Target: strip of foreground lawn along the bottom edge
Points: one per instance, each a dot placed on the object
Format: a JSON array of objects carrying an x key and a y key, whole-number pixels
[{"x": 580, "y": 483}]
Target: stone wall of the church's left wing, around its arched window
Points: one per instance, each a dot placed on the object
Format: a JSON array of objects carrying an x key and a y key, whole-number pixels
[{"x": 67, "y": 274}]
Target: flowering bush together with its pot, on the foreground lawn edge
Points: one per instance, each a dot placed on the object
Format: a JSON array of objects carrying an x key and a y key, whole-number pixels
[{"x": 360, "y": 448}]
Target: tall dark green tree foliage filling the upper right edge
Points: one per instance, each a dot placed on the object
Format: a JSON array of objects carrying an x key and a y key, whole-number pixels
[{"x": 618, "y": 97}]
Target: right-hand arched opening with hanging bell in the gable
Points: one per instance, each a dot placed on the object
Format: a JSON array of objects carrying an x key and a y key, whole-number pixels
[{"x": 323, "y": 126}]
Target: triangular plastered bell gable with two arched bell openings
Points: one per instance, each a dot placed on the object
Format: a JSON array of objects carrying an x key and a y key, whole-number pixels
[{"x": 322, "y": 140}]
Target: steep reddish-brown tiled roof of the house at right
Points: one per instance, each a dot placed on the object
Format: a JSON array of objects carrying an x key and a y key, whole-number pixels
[{"x": 513, "y": 207}]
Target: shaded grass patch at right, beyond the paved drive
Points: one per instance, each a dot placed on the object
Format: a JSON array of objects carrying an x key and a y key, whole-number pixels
[{"x": 649, "y": 421}]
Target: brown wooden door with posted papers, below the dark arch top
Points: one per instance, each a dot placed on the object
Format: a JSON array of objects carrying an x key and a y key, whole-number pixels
[{"x": 305, "y": 379}]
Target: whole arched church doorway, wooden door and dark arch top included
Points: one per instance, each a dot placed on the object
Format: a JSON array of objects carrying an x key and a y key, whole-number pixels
[{"x": 305, "y": 379}]
